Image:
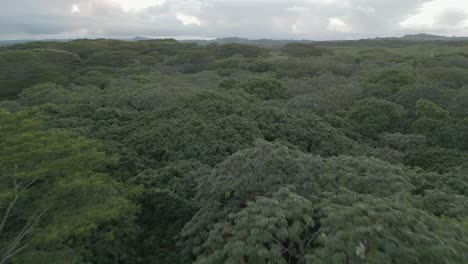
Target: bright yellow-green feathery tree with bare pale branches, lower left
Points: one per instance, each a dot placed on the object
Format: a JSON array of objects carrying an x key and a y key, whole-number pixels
[{"x": 88, "y": 213}]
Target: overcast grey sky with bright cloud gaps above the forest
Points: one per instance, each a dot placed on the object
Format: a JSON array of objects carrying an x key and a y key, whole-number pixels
[{"x": 277, "y": 19}]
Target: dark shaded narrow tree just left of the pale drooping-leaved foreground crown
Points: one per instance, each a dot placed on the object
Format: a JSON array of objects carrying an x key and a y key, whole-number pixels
[{"x": 167, "y": 204}]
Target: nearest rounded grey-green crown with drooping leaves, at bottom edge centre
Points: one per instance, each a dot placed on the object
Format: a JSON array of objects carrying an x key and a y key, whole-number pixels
[{"x": 280, "y": 229}]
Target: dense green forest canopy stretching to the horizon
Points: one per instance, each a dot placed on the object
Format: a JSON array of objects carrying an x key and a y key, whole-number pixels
[{"x": 159, "y": 151}]
